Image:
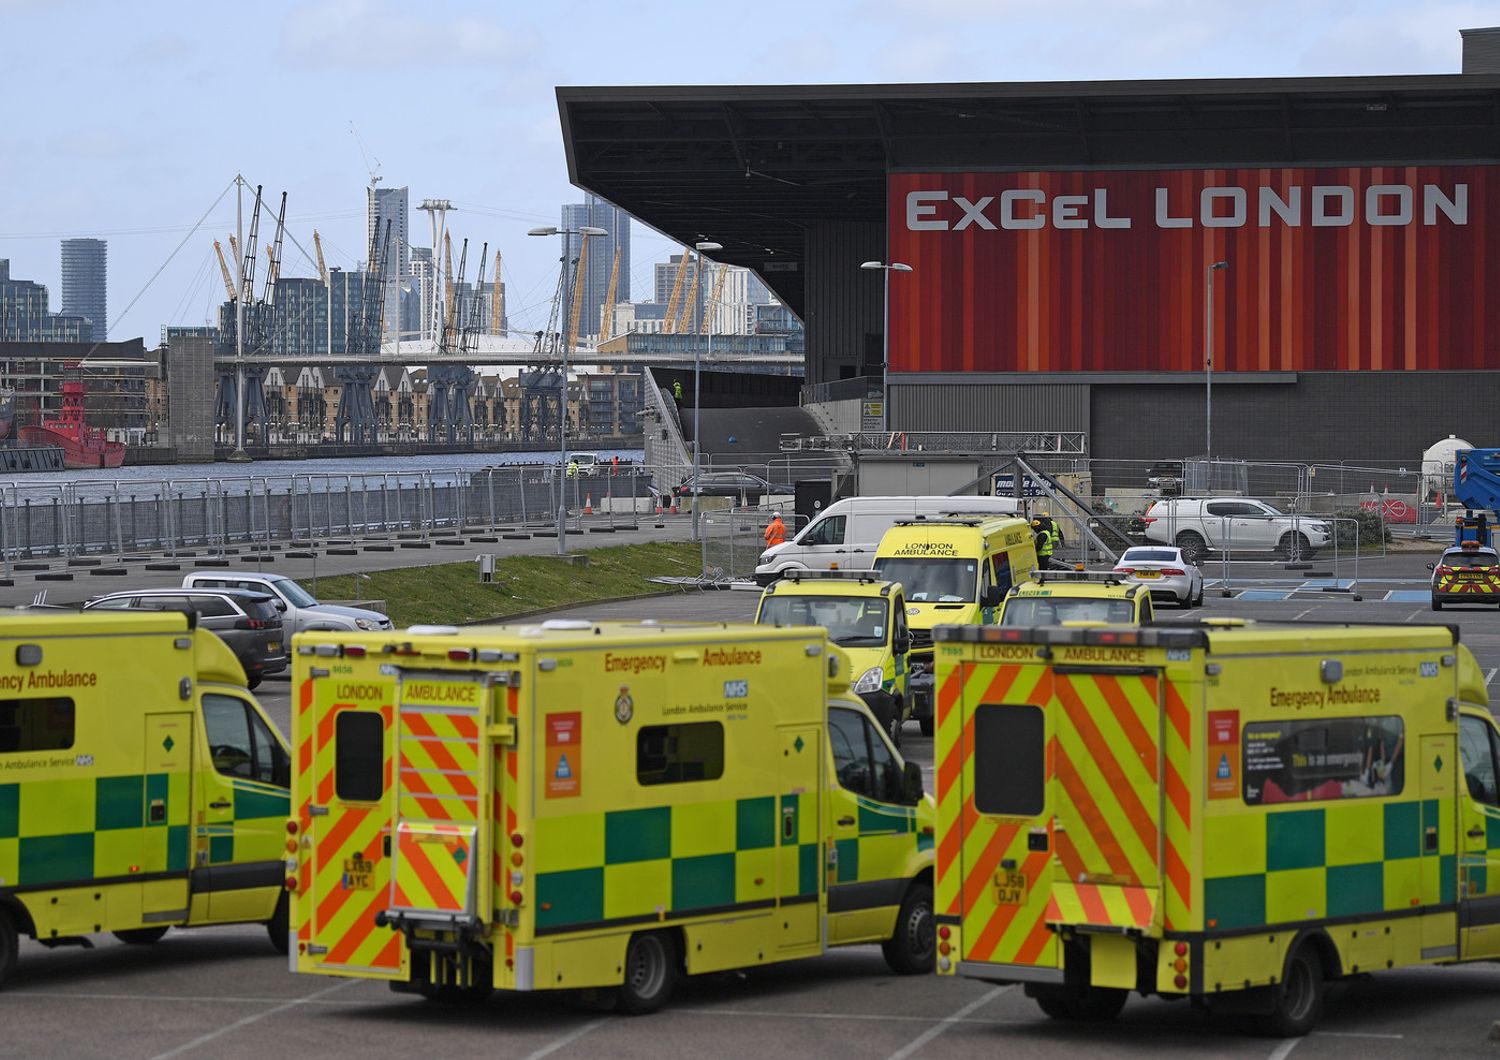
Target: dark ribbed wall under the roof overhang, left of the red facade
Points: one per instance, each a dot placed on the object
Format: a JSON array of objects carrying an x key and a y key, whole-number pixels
[{"x": 845, "y": 305}]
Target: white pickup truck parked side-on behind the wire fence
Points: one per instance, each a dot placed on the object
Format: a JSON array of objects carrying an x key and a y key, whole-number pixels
[{"x": 1202, "y": 526}]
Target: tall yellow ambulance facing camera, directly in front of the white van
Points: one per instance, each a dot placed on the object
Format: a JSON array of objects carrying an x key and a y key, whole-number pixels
[{"x": 956, "y": 570}]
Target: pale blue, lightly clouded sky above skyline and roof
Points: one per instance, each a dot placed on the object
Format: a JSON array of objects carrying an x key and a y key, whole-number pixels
[{"x": 127, "y": 121}]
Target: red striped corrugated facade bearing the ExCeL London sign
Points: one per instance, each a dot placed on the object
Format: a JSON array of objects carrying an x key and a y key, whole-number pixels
[{"x": 1411, "y": 283}]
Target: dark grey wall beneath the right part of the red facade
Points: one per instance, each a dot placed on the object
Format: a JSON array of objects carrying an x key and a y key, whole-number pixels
[{"x": 1387, "y": 418}]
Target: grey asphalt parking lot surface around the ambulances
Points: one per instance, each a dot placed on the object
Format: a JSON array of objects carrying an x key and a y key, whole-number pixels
[{"x": 224, "y": 993}]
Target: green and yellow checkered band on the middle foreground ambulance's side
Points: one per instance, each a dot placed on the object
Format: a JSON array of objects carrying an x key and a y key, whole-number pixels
[{"x": 674, "y": 860}]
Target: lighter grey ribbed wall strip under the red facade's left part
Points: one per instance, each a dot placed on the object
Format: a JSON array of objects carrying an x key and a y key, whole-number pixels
[{"x": 962, "y": 406}]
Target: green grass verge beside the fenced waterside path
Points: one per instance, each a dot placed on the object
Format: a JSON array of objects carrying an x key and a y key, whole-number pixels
[{"x": 452, "y": 593}]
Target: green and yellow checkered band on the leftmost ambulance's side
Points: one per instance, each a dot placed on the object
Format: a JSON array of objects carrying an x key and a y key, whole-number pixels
[{"x": 46, "y": 837}]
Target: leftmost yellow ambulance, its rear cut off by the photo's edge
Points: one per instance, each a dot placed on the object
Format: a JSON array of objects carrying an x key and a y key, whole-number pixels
[{"x": 142, "y": 786}]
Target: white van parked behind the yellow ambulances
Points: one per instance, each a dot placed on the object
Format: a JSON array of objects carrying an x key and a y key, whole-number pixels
[{"x": 847, "y": 533}]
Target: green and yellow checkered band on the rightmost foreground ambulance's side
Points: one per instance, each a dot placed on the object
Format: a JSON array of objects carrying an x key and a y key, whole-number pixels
[{"x": 1349, "y": 860}]
